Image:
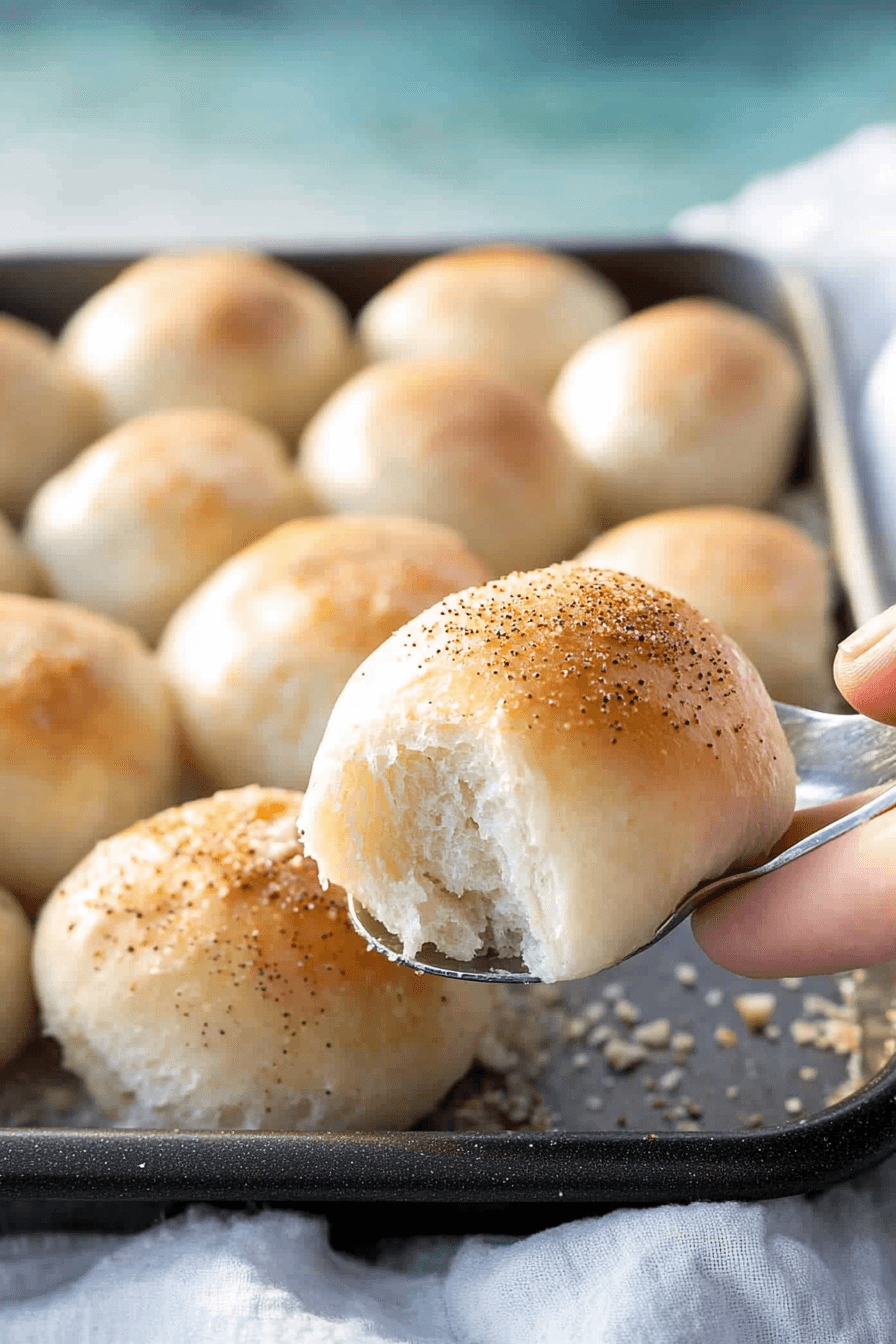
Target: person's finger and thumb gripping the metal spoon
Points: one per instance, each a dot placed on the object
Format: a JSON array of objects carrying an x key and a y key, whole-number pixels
[{"x": 836, "y": 908}]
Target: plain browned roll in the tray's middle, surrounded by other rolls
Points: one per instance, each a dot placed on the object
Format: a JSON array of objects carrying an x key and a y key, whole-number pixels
[{"x": 455, "y": 444}]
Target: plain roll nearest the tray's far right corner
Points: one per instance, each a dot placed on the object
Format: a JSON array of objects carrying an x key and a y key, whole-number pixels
[{"x": 688, "y": 403}]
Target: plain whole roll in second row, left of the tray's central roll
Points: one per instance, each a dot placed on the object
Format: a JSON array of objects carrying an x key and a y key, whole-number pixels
[{"x": 140, "y": 518}]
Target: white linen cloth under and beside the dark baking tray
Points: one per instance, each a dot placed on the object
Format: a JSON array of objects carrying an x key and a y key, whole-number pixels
[{"x": 796, "y": 1271}]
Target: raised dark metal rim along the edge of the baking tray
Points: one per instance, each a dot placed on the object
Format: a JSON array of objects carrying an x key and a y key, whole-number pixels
[{"x": 561, "y": 1166}]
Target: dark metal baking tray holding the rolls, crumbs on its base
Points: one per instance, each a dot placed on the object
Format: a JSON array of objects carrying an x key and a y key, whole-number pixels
[{"x": 611, "y": 1146}]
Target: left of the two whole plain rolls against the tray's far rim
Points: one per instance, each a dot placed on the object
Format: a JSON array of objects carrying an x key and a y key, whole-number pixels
[{"x": 216, "y": 329}]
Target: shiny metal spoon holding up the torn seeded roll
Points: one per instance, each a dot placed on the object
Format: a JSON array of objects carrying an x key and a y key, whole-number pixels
[{"x": 836, "y": 755}]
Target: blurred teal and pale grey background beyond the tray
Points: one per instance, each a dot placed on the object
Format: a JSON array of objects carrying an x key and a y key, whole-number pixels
[{"x": 136, "y": 123}]
